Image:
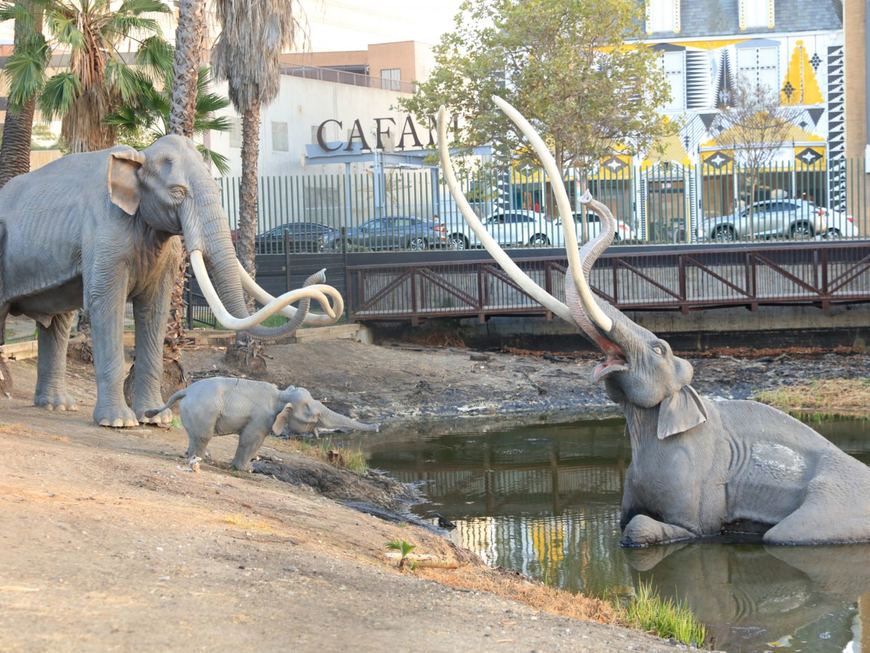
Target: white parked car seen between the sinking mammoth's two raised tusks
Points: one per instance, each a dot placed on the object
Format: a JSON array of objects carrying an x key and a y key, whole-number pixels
[{"x": 512, "y": 228}]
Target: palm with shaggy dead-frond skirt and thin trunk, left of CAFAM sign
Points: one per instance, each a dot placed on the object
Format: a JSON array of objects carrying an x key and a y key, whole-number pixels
[{"x": 246, "y": 54}]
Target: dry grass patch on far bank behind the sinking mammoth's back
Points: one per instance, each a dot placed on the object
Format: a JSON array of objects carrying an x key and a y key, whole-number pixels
[{"x": 821, "y": 399}]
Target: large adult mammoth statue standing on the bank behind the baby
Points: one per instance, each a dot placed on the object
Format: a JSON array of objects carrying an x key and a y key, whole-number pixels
[{"x": 99, "y": 228}]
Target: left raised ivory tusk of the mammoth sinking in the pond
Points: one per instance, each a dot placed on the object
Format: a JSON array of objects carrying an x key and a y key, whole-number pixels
[{"x": 512, "y": 269}]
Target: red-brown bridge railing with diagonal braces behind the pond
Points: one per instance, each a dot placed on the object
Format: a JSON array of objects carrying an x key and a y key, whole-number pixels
[{"x": 441, "y": 284}]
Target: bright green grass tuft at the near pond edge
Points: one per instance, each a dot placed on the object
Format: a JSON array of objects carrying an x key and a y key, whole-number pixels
[{"x": 647, "y": 611}]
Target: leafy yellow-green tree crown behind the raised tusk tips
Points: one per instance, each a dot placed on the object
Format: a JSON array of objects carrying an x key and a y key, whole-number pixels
[{"x": 575, "y": 68}]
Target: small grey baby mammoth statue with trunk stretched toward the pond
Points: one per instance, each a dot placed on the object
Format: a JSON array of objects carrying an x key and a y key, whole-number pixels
[{"x": 225, "y": 405}]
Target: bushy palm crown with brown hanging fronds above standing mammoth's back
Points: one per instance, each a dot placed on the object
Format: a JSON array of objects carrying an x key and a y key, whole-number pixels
[{"x": 97, "y": 78}]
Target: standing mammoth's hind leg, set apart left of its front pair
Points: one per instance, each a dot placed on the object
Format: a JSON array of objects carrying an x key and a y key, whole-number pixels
[{"x": 51, "y": 364}]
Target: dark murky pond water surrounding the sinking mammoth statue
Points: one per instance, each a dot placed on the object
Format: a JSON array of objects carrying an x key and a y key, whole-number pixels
[{"x": 544, "y": 500}]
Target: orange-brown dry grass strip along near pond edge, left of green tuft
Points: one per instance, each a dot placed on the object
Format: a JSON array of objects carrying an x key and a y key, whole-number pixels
[{"x": 516, "y": 588}]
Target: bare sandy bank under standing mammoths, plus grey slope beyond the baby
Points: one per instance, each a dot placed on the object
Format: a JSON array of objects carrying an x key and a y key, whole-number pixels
[{"x": 108, "y": 542}]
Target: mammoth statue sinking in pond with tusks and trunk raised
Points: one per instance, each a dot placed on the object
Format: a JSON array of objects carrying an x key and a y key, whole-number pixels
[{"x": 699, "y": 467}]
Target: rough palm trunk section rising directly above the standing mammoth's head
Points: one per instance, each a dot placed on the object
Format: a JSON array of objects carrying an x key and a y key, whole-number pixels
[{"x": 189, "y": 42}]
